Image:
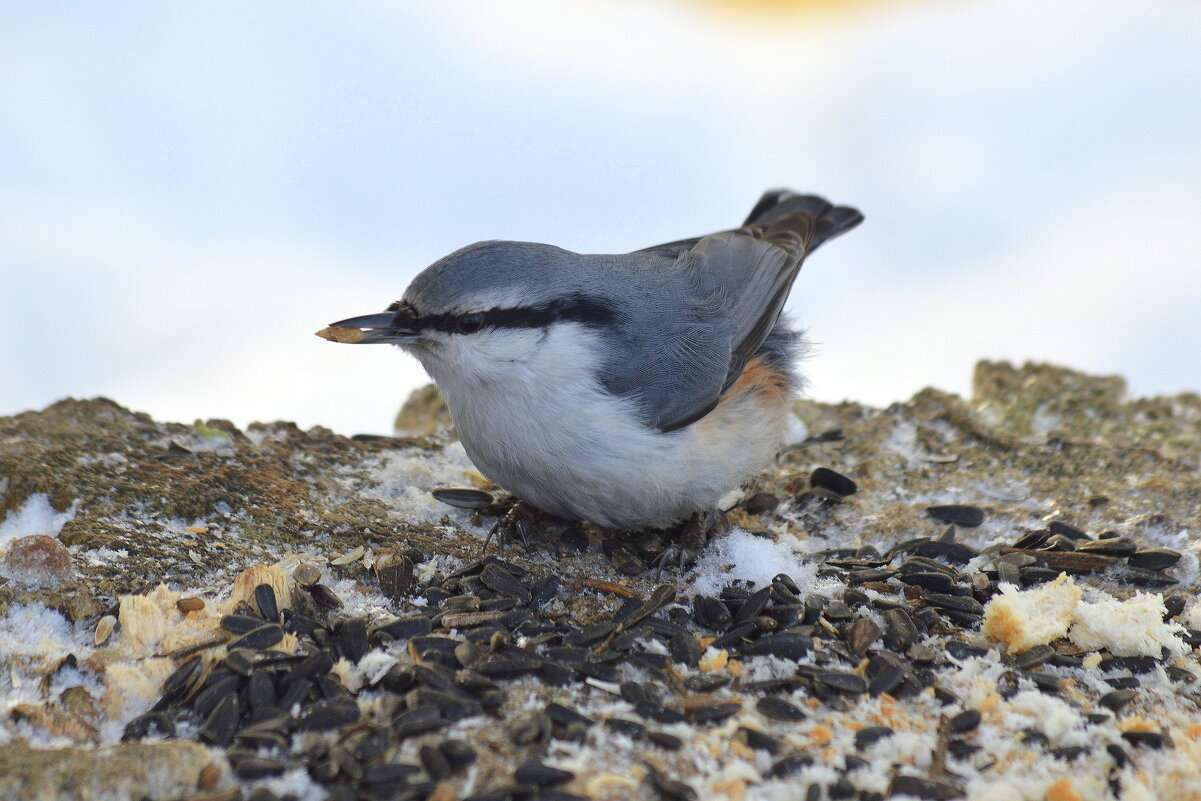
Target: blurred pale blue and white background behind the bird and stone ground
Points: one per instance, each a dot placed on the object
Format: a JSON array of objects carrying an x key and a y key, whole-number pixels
[{"x": 190, "y": 190}]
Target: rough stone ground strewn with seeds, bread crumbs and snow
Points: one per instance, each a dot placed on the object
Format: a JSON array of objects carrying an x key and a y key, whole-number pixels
[{"x": 169, "y": 527}]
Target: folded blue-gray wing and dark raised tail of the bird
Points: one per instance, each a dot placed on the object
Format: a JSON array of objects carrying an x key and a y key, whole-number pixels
[{"x": 714, "y": 303}]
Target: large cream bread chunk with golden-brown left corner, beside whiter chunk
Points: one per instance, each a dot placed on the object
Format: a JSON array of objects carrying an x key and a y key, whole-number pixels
[{"x": 1023, "y": 619}]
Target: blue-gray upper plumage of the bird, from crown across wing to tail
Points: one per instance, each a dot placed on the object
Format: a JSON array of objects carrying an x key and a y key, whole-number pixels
[{"x": 690, "y": 314}]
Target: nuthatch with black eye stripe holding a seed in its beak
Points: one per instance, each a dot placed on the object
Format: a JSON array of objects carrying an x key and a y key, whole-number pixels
[{"x": 629, "y": 391}]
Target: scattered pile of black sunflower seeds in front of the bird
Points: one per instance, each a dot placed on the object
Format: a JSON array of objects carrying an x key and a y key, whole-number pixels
[{"x": 904, "y": 618}]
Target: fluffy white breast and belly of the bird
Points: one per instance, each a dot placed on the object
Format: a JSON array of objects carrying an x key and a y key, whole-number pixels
[{"x": 545, "y": 431}]
